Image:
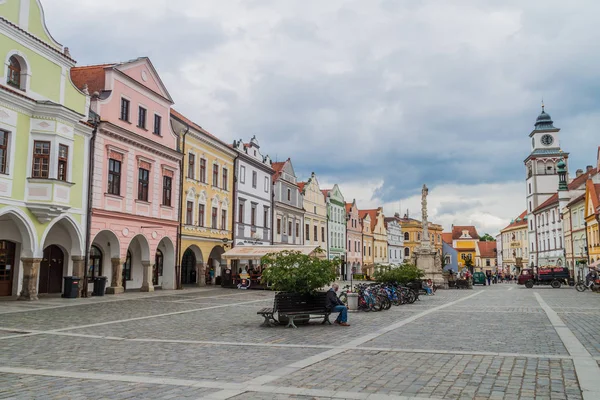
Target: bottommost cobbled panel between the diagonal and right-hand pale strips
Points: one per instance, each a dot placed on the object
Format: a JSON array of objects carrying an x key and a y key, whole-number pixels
[{"x": 441, "y": 375}]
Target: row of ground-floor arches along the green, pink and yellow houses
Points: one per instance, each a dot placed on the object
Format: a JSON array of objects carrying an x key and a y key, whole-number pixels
[{"x": 145, "y": 260}]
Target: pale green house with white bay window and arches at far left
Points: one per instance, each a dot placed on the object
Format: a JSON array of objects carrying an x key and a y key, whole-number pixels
[{"x": 44, "y": 143}]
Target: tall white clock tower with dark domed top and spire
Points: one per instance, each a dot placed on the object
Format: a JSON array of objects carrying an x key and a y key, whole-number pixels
[{"x": 541, "y": 172}]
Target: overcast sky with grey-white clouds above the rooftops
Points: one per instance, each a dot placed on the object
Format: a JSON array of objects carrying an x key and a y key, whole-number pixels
[{"x": 379, "y": 96}]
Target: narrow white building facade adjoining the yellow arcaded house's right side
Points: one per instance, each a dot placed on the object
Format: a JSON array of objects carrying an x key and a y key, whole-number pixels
[{"x": 253, "y": 196}]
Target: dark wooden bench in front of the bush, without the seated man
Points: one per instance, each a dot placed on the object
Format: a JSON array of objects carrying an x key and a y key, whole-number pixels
[{"x": 295, "y": 307}]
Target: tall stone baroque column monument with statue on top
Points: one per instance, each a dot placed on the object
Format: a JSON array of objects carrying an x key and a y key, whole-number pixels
[{"x": 425, "y": 256}]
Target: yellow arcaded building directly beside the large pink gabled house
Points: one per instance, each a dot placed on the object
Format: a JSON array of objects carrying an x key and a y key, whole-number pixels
[{"x": 207, "y": 202}]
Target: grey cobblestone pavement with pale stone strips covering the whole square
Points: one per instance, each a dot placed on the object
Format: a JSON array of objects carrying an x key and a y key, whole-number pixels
[{"x": 499, "y": 342}]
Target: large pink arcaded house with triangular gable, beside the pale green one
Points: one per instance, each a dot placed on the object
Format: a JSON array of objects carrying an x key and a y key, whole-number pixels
[{"x": 135, "y": 192}]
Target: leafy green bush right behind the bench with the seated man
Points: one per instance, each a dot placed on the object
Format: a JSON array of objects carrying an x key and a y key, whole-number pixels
[{"x": 294, "y": 272}]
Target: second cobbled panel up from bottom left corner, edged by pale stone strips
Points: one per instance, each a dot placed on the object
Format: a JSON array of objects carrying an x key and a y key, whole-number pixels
[{"x": 182, "y": 361}]
